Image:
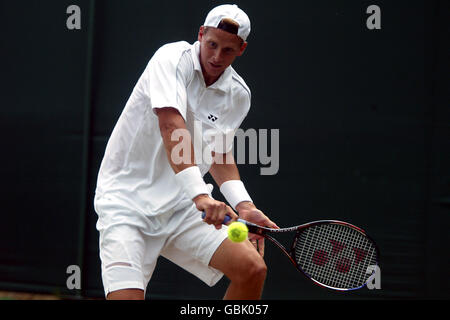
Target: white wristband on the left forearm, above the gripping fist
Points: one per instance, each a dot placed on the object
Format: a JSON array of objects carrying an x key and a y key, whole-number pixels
[{"x": 192, "y": 183}]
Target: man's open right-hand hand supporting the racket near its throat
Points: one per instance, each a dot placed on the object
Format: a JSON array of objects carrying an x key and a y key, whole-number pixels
[{"x": 248, "y": 211}]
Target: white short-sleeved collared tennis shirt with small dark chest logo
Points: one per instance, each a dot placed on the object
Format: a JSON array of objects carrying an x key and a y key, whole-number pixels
[{"x": 135, "y": 165}]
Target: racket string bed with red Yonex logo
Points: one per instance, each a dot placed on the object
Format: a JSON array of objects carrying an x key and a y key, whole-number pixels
[{"x": 335, "y": 255}]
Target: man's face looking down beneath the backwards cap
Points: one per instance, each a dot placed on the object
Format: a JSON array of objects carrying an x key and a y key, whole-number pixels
[{"x": 218, "y": 49}]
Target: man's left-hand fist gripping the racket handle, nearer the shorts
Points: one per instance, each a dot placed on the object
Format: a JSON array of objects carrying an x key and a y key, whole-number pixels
[{"x": 214, "y": 210}]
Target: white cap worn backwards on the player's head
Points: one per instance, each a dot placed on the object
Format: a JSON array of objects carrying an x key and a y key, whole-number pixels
[{"x": 233, "y": 12}]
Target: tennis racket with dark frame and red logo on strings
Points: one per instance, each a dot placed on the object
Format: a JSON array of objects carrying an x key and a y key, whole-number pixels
[{"x": 334, "y": 254}]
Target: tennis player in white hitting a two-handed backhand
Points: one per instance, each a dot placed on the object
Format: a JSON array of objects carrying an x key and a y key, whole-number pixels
[{"x": 148, "y": 202}]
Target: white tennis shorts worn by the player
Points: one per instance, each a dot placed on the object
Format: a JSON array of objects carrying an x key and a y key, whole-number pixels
[{"x": 130, "y": 243}]
